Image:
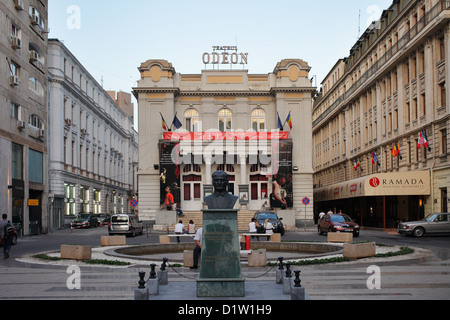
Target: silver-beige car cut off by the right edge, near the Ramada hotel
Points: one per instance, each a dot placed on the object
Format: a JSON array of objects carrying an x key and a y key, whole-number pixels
[{"x": 431, "y": 224}]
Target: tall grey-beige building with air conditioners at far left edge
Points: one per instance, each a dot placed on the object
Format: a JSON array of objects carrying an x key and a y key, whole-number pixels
[{"x": 23, "y": 116}]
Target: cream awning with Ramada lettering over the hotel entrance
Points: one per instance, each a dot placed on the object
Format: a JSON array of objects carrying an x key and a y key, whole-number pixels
[{"x": 381, "y": 184}]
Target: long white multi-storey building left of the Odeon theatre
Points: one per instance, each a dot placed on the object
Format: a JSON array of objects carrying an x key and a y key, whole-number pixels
[{"x": 92, "y": 143}]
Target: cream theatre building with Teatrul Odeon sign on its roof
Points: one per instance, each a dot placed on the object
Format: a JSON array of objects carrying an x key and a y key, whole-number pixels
[{"x": 255, "y": 127}]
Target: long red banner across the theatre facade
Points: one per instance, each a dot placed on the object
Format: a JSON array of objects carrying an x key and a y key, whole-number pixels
[{"x": 211, "y": 136}]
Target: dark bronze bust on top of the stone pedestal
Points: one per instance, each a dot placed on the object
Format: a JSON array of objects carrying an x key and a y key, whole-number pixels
[{"x": 220, "y": 199}]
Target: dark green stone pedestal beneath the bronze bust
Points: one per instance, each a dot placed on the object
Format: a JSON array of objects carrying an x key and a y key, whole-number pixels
[{"x": 220, "y": 273}]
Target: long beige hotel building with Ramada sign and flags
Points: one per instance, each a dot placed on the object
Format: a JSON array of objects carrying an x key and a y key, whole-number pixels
[{"x": 378, "y": 104}]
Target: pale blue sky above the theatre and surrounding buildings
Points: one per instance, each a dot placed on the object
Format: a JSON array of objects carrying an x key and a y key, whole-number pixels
[{"x": 112, "y": 38}]
